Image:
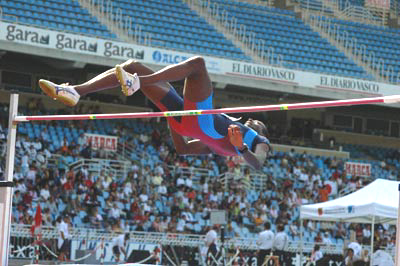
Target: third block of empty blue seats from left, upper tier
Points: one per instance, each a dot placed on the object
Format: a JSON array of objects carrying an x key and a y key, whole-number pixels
[{"x": 286, "y": 35}]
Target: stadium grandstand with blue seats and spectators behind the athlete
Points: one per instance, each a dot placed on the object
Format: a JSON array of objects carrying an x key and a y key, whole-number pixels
[{"x": 124, "y": 176}]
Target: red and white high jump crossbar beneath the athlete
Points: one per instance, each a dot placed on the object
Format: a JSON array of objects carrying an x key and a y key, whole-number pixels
[{"x": 262, "y": 108}]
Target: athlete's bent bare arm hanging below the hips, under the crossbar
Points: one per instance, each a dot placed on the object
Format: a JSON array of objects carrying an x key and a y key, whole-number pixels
[{"x": 188, "y": 147}]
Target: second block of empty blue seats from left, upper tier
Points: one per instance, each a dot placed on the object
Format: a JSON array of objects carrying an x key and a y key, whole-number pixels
[{"x": 172, "y": 25}]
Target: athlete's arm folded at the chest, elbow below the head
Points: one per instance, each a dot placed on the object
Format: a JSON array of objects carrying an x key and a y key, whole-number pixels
[{"x": 254, "y": 159}]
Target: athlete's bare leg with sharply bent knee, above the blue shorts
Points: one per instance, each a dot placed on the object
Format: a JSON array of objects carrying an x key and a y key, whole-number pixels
[{"x": 197, "y": 82}]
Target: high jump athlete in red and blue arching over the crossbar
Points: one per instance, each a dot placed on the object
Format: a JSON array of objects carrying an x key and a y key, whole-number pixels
[{"x": 210, "y": 133}]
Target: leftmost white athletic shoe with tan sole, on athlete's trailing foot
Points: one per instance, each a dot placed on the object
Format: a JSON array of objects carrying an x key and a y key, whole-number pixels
[{"x": 63, "y": 93}]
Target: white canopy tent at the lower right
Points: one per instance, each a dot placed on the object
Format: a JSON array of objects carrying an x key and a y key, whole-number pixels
[{"x": 375, "y": 203}]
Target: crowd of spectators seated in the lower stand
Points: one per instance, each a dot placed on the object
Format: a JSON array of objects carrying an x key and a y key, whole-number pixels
[{"x": 155, "y": 198}]
